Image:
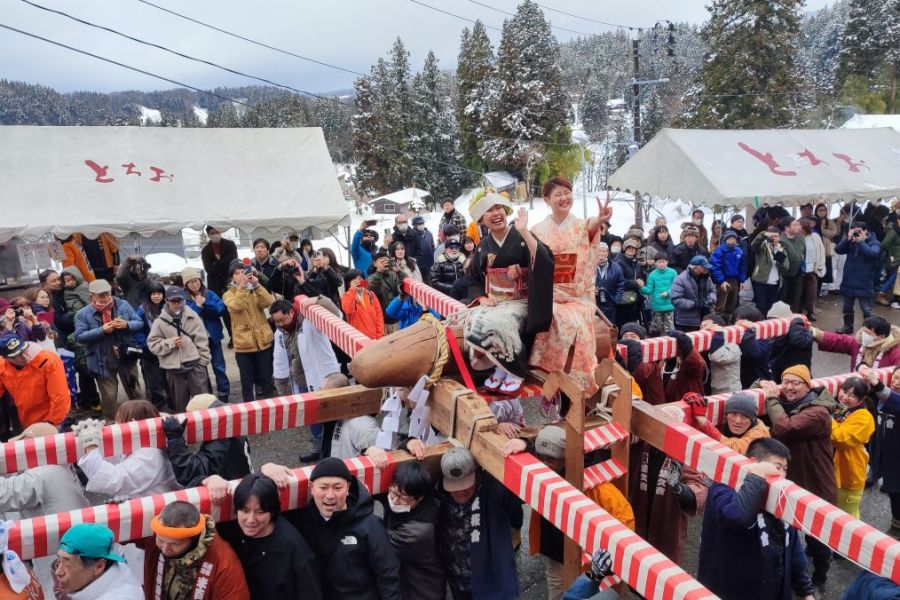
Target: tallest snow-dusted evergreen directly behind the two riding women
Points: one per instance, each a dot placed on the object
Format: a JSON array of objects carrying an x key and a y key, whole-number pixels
[{"x": 527, "y": 105}]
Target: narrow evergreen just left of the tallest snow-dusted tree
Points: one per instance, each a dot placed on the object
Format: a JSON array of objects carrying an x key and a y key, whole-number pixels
[{"x": 473, "y": 73}]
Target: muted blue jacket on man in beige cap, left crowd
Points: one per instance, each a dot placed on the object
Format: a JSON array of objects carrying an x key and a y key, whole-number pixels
[{"x": 98, "y": 345}]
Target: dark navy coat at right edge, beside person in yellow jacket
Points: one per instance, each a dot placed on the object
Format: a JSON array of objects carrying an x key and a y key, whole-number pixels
[{"x": 885, "y": 443}]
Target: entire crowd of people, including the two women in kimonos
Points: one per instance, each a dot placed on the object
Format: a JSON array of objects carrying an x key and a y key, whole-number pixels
[{"x": 534, "y": 290}]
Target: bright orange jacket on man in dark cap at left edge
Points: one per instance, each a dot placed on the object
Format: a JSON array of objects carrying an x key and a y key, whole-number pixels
[{"x": 40, "y": 389}]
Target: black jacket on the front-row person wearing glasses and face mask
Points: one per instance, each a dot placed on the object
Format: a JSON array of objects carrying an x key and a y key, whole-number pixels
[{"x": 413, "y": 536}]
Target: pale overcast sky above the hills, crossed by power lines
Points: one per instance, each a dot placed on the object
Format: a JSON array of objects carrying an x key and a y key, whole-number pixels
[{"x": 348, "y": 33}]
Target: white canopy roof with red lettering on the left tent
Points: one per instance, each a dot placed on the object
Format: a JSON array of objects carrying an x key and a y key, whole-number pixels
[{"x": 144, "y": 180}]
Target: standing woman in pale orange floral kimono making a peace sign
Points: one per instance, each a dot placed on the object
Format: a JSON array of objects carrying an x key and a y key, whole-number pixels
[{"x": 569, "y": 345}]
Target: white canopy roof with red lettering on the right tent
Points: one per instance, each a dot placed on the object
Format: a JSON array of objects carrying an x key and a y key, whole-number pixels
[{"x": 735, "y": 167}]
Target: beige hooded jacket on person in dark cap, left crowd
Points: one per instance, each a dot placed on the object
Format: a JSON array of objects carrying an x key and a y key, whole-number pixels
[{"x": 195, "y": 344}]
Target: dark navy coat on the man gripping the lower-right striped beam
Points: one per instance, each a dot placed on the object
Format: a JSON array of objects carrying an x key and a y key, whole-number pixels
[{"x": 735, "y": 528}]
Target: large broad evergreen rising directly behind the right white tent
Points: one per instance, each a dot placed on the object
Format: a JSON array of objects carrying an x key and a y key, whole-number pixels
[{"x": 749, "y": 78}]
